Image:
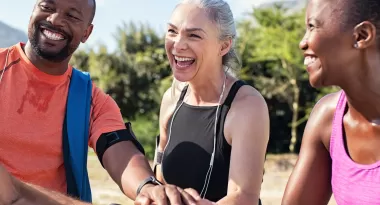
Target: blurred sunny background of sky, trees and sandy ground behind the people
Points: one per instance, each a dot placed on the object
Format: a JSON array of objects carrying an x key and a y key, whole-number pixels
[{"x": 134, "y": 71}]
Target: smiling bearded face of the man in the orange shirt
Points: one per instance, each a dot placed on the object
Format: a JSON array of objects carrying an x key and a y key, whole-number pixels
[{"x": 57, "y": 27}]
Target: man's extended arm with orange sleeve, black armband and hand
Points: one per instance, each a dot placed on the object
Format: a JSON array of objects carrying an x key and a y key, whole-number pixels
[{"x": 127, "y": 166}]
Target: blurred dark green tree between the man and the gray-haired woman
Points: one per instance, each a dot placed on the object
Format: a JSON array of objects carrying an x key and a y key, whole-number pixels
[{"x": 133, "y": 76}]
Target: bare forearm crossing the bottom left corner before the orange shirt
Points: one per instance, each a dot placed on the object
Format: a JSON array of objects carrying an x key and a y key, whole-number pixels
[{"x": 16, "y": 192}]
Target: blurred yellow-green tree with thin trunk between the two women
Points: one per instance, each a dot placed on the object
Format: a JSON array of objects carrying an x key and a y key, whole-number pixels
[{"x": 274, "y": 43}]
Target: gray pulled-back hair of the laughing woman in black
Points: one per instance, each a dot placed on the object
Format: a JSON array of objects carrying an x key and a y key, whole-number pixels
[{"x": 219, "y": 13}]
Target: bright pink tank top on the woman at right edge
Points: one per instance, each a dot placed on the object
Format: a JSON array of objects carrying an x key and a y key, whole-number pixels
[{"x": 352, "y": 183}]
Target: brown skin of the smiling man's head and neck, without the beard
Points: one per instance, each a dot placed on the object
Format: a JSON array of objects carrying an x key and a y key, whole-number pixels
[{"x": 72, "y": 18}]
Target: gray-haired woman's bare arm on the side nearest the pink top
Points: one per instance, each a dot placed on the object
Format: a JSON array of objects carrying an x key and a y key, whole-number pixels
[{"x": 248, "y": 130}]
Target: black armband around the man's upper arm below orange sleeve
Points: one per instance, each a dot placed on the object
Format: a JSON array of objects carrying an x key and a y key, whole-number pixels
[{"x": 106, "y": 140}]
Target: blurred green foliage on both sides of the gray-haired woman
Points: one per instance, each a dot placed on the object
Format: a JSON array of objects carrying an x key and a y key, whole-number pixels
[{"x": 138, "y": 73}]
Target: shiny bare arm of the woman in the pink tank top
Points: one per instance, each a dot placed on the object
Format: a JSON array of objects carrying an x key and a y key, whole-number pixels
[{"x": 309, "y": 182}]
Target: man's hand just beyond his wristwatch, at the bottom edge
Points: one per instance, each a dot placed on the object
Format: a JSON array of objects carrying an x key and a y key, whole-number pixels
[{"x": 166, "y": 195}]
